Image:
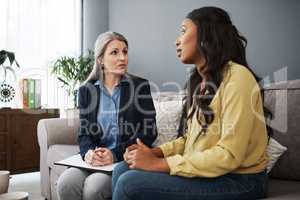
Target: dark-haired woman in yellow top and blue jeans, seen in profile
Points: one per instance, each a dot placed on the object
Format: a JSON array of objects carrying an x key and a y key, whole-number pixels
[{"x": 222, "y": 151}]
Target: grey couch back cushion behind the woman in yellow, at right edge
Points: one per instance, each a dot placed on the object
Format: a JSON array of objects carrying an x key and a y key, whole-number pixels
[{"x": 283, "y": 100}]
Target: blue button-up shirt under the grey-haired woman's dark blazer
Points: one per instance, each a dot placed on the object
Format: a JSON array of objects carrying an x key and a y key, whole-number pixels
[{"x": 108, "y": 115}]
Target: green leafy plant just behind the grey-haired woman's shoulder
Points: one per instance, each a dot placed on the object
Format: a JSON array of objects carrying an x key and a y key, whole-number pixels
[{"x": 72, "y": 71}]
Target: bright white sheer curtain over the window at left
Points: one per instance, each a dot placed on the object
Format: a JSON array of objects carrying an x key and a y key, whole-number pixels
[{"x": 40, "y": 31}]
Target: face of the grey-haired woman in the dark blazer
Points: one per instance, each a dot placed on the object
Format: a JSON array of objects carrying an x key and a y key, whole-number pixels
[{"x": 115, "y": 58}]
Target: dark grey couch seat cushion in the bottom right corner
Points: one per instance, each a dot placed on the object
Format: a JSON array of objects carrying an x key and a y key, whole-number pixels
[{"x": 283, "y": 190}]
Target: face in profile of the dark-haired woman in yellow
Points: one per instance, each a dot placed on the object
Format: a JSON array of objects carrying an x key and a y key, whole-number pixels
[{"x": 186, "y": 43}]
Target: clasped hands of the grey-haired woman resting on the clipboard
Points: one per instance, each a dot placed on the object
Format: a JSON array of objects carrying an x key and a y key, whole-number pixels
[{"x": 99, "y": 157}]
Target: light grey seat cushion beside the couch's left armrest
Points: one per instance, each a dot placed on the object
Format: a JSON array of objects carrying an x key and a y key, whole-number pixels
[{"x": 59, "y": 152}]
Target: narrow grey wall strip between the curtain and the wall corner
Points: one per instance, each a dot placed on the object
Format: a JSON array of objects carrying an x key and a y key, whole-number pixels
[{"x": 95, "y": 21}]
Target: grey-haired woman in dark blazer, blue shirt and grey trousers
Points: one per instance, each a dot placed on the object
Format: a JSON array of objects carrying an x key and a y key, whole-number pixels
[{"x": 115, "y": 109}]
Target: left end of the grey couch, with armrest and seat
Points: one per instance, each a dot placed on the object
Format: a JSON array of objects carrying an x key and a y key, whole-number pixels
[{"x": 57, "y": 139}]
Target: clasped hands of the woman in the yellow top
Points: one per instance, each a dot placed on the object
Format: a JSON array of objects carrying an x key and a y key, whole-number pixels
[{"x": 139, "y": 156}]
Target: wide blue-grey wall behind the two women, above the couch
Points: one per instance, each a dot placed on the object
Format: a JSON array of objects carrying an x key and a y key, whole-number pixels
[{"x": 272, "y": 28}]
